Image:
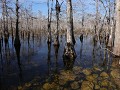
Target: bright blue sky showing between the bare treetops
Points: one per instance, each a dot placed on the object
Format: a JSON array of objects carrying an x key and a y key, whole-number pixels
[{"x": 41, "y": 5}]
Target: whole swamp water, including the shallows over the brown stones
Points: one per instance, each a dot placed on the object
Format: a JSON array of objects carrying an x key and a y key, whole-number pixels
[{"x": 38, "y": 66}]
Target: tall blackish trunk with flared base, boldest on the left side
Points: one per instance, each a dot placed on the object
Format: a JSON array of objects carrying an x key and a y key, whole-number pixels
[{"x": 17, "y": 39}]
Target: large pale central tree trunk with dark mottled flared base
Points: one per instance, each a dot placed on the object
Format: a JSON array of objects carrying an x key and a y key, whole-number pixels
[{"x": 69, "y": 50}]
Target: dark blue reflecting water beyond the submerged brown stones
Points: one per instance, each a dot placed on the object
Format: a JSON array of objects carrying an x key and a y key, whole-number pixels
[{"x": 36, "y": 58}]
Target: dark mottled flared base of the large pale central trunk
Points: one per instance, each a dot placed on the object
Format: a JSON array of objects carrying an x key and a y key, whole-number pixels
[{"x": 69, "y": 52}]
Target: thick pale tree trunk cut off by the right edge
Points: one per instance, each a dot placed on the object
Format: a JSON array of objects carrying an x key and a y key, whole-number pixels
[{"x": 116, "y": 49}]
